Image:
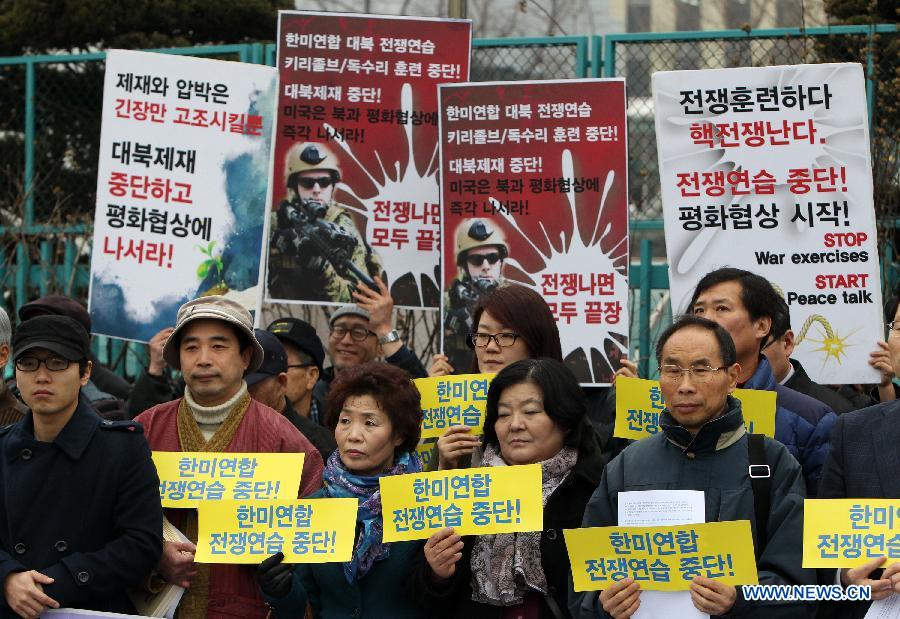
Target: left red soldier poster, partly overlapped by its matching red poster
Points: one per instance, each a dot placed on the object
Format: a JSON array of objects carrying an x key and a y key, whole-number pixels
[{"x": 357, "y": 110}]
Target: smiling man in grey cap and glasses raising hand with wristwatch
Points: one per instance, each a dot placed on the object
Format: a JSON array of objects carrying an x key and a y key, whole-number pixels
[{"x": 364, "y": 332}]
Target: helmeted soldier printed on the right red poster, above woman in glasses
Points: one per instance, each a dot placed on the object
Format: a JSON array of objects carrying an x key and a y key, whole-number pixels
[{"x": 481, "y": 250}]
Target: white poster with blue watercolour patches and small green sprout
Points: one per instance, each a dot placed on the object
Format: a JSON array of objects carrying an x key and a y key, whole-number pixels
[{"x": 182, "y": 188}]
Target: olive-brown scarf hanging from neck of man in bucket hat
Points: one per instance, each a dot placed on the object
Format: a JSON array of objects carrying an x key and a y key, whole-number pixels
[{"x": 194, "y": 603}]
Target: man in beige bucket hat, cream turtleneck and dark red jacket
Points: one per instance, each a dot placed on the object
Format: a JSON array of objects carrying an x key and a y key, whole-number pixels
[{"x": 214, "y": 346}]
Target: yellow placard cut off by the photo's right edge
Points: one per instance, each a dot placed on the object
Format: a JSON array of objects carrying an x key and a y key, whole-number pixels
[{"x": 850, "y": 532}]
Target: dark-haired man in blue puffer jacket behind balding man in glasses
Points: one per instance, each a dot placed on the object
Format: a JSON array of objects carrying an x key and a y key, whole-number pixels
[{"x": 746, "y": 305}]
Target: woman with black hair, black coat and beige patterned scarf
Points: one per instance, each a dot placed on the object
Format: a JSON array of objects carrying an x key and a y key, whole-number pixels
[{"x": 535, "y": 413}]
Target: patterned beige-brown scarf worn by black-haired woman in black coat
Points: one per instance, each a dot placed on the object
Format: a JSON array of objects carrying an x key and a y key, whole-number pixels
[{"x": 507, "y": 565}]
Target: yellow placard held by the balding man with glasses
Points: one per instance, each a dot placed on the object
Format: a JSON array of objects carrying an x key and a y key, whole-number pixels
[{"x": 662, "y": 558}]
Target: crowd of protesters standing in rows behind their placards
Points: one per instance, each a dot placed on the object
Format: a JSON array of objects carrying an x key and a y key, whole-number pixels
[{"x": 82, "y": 520}]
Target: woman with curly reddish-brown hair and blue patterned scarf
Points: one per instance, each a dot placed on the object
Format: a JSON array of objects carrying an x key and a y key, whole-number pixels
[{"x": 376, "y": 417}]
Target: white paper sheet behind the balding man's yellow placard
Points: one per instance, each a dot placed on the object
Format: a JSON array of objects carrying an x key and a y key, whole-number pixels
[{"x": 654, "y": 508}]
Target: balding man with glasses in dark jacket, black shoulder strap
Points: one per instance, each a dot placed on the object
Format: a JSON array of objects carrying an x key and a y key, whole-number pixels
[{"x": 703, "y": 445}]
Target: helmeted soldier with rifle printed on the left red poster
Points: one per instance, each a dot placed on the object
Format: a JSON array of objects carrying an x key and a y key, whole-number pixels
[{"x": 316, "y": 253}]
